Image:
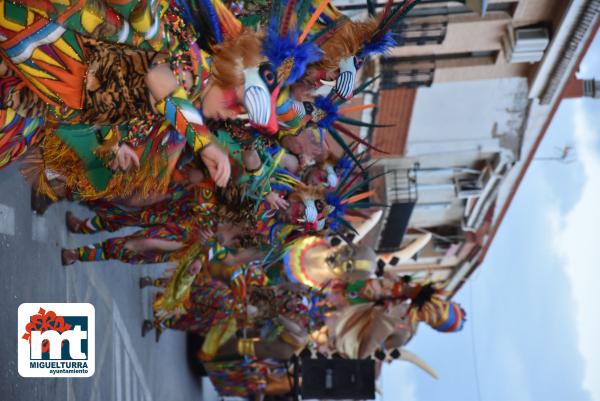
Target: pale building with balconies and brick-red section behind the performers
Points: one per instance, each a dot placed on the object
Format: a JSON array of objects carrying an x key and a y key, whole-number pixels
[{"x": 469, "y": 95}]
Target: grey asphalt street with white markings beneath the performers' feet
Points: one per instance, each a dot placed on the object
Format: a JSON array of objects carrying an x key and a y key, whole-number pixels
[{"x": 128, "y": 367}]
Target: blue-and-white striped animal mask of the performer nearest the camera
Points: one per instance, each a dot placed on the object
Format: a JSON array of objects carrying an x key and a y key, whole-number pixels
[{"x": 260, "y": 97}]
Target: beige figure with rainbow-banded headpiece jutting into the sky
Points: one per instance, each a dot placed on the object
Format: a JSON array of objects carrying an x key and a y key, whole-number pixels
[{"x": 389, "y": 309}]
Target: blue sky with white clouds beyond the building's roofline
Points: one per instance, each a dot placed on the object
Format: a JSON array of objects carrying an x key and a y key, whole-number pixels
[{"x": 532, "y": 306}]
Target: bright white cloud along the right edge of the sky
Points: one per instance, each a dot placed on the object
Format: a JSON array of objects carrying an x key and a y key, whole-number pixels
[{"x": 575, "y": 236}]
